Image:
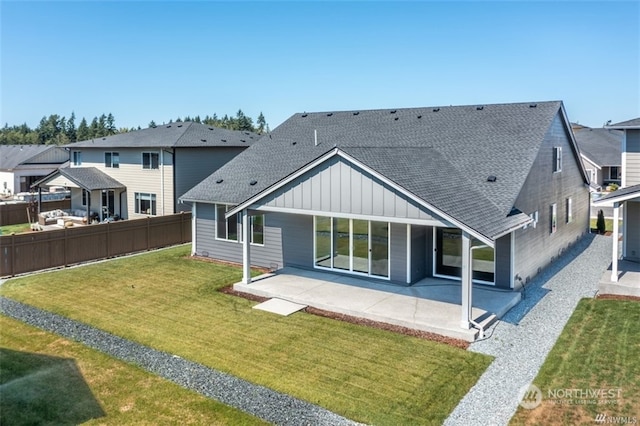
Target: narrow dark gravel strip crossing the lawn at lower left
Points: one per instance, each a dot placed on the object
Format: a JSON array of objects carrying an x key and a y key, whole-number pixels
[{"x": 262, "y": 402}]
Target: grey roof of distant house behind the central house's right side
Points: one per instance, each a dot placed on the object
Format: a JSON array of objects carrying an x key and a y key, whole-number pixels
[{"x": 601, "y": 146}]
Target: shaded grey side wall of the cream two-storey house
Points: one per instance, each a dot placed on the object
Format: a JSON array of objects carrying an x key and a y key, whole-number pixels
[{"x": 193, "y": 165}]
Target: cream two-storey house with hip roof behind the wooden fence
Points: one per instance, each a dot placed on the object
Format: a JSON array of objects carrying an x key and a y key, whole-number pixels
[{"x": 142, "y": 173}]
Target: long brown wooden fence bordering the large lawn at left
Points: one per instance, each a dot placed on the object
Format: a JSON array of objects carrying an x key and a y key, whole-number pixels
[{"x": 34, "y": 251}]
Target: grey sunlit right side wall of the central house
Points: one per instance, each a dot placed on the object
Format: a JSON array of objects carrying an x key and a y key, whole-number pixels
[{"x": 536, "y": 247}]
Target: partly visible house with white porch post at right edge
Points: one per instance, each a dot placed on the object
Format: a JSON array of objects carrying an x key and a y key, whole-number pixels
[{"x": 627, "y": 197}]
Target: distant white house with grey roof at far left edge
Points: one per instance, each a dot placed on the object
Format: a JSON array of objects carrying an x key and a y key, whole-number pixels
[{"x": 22, "y": 165}]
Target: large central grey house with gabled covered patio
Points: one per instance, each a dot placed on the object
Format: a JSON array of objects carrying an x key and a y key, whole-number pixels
[{"x": 401, "y": 195}]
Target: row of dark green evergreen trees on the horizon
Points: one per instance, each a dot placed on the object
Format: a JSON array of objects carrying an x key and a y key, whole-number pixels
[{"x": 59, "y": 130}]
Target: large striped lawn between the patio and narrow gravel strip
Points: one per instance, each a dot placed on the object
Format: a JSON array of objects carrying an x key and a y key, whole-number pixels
[{"x": 169, "y": 301}]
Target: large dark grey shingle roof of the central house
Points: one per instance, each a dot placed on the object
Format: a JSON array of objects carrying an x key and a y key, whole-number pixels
[{"x": 442, "y": 155}]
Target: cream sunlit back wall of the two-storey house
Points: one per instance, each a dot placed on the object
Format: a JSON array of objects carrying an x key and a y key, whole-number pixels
[{"x": 131, "y": 174}]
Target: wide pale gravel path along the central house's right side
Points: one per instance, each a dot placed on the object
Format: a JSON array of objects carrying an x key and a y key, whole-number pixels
[{"x": 521, "y": 341}]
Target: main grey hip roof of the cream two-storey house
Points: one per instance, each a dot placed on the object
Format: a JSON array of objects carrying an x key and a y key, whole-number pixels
[{"x": 173, "y": 135}]
